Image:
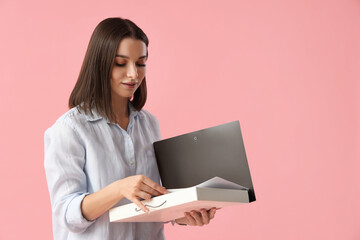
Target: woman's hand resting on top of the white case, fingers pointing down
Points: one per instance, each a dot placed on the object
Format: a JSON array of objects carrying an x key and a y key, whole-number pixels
[{"x": 139, "y": 186}]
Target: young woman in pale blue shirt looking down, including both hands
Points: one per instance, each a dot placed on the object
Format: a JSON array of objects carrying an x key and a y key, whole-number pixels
[{"x": 99, "y": 154}]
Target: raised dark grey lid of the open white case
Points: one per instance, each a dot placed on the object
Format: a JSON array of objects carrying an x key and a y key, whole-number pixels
[{"x": 192, "y": 158}]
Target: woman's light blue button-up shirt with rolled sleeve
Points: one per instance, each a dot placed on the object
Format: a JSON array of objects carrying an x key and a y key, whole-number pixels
[{"x": 85, "y": 153}]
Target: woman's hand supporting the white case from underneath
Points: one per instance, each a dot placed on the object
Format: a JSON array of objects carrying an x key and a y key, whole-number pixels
[{"x": 197, "y": 218}]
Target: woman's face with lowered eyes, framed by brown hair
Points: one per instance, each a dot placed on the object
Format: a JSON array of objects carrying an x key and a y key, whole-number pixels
[{"x": 129, "y": 68}]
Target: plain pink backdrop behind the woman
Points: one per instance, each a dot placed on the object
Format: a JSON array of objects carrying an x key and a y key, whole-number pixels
[{"x": 288, "y": 70}]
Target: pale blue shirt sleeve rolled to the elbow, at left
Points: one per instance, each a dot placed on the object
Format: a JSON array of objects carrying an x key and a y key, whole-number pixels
[{"x": 64, "y": 164}]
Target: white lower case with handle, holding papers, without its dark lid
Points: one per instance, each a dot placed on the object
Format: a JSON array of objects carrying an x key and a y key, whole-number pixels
[{"x": 216, "y": 192}]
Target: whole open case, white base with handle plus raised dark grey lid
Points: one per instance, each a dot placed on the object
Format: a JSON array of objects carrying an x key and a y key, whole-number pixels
[{"x": 203, "y": 169}]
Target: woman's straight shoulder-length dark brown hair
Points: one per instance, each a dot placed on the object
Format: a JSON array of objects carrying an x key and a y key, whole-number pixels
[{"x": 93, "y": 89}]
